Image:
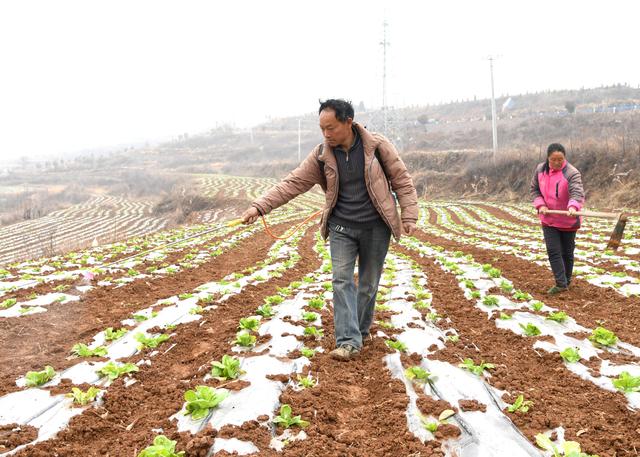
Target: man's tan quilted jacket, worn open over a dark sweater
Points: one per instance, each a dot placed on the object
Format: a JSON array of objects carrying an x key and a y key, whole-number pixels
[{"x": 310, "y": 173}]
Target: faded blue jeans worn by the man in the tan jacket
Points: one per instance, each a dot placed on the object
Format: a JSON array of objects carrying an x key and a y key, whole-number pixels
[{"x": 353, "y": 309}]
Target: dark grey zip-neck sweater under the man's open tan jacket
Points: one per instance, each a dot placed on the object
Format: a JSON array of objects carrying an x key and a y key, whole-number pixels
[{"x": 353, "y": 208}]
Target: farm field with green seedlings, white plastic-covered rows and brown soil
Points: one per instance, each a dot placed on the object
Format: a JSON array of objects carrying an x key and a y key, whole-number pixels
[{"x": 215, "y": 337}]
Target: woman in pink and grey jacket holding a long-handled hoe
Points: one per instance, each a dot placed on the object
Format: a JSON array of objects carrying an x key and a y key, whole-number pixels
[{"x": 557, "y": 185}]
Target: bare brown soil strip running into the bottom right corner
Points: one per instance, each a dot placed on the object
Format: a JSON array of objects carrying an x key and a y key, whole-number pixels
[{"x": 560, "y": 397}]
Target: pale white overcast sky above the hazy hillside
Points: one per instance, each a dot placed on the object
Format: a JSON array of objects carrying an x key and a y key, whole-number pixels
[{"x": 84, "y": 74}]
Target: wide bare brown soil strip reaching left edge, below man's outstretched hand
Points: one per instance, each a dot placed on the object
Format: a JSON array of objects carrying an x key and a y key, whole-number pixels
[{"x": 31, "y": 342}]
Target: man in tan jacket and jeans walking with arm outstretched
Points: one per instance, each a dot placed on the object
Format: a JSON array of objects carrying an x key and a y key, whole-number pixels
[{"x": 355, "y": 169}]
